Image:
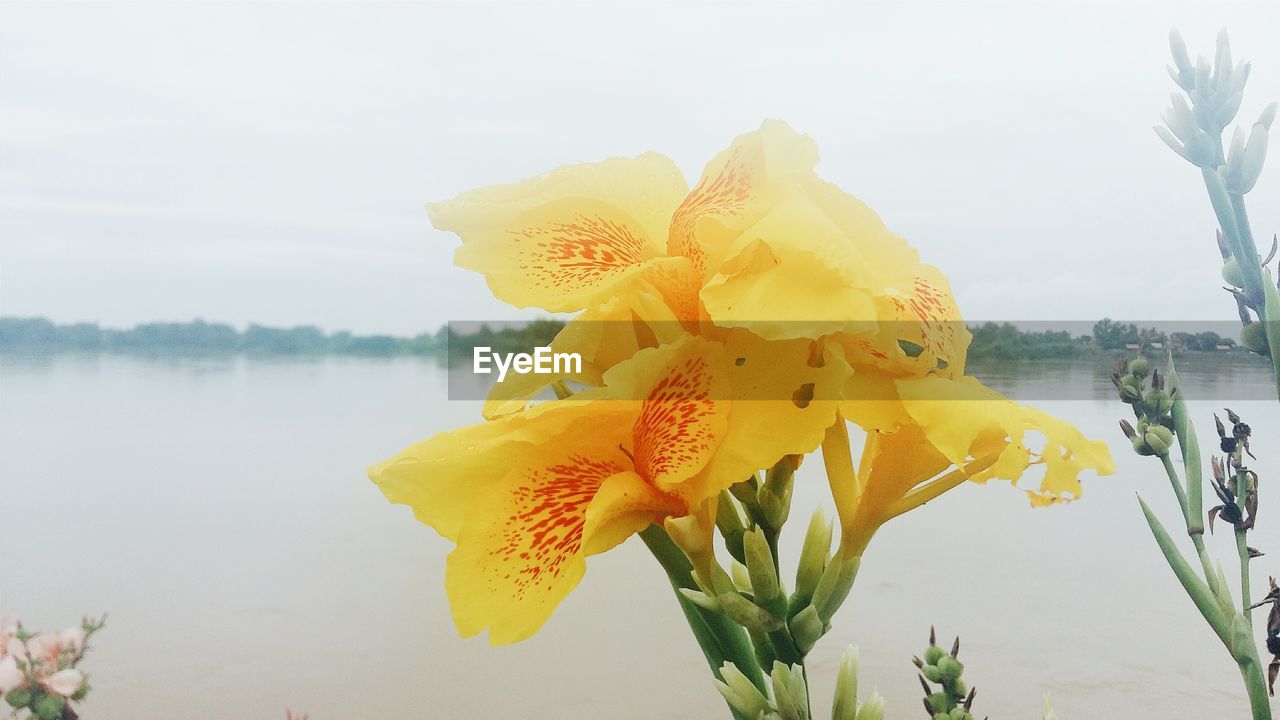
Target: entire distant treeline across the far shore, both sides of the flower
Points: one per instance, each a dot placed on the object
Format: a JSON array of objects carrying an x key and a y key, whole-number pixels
[{"x": 1000, "y": 341}]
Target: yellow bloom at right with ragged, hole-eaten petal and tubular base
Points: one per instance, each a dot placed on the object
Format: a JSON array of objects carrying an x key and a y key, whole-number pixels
[{"x": 926, "y": 436}]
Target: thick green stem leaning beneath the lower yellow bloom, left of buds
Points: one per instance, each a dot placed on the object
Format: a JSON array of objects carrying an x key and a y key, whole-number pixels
[{"x": 720, "y": 637}]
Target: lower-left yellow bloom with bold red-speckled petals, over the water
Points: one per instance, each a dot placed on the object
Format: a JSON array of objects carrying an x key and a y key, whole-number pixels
[{"x": 529, "y": 496}]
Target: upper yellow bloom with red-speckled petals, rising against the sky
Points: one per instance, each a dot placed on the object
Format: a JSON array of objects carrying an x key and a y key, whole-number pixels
[{"x": 760, "y": 243}]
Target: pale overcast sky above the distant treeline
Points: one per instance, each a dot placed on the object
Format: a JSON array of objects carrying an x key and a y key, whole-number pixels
[{"x": 271, "y": 162}]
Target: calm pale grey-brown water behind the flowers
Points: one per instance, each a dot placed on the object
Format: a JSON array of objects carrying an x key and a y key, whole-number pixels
[{"x": 220, "y": 512}]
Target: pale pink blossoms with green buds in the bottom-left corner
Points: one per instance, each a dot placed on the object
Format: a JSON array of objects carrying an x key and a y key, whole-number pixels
[{"x": 39, "y": 673}]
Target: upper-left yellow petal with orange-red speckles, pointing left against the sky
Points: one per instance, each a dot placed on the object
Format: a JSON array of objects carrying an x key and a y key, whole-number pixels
[{"x": 566, "y": 240}]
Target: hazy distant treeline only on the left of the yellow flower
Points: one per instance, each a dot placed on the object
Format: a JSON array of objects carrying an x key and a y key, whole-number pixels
[{"x": 38, "y": 335}]
